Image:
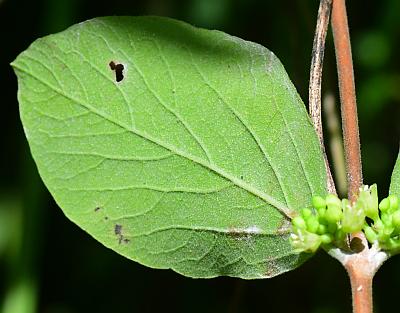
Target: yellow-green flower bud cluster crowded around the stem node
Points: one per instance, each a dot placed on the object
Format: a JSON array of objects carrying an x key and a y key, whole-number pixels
[{"x": 330, "y": 220}]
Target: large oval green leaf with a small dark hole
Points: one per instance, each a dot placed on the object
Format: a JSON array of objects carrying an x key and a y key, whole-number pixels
[{"x": 195, "y": 160}]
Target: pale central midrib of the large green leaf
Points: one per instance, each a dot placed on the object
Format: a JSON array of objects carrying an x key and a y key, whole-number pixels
[{"x": 286, "y": 212}]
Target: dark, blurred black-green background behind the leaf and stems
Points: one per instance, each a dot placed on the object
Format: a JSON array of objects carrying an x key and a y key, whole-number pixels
[{"x": 47, "y": 264}]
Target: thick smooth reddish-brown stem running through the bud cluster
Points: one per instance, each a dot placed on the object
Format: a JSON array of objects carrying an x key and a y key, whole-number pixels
[{"x": 361, "y": 265}]
